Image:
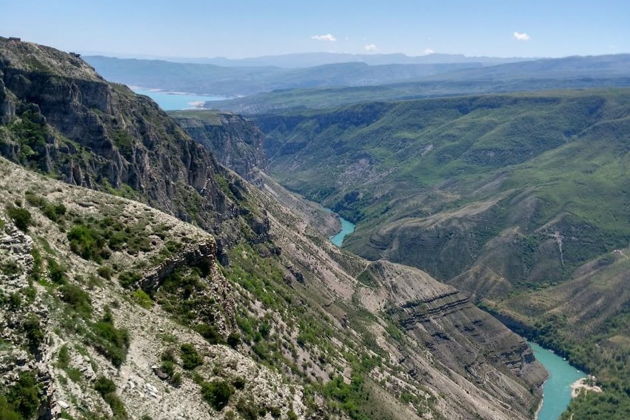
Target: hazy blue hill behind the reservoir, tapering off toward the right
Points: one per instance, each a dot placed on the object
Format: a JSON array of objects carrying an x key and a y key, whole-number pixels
[{"x": 234, "y": 81}]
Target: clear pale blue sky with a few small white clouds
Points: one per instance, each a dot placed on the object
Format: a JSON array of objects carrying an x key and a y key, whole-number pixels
[{"x": 242, "y": 28}]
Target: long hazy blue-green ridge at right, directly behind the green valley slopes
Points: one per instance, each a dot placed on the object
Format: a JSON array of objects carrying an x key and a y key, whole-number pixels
[{"x": 561, "y": 73}]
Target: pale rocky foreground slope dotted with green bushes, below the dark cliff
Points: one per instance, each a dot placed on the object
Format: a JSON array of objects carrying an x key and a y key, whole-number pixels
[{"x": 76, "y": 343}]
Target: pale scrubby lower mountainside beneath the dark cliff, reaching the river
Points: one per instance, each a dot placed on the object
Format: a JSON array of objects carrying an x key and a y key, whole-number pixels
[{"x": 155, "y": 288}]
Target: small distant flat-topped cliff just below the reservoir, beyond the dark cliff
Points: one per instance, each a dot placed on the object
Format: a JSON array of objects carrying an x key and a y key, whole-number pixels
[{"x": 235, "y": 142}]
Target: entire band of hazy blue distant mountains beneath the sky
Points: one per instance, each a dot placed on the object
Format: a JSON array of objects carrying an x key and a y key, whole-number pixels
[{"x": 271, "y": 77}]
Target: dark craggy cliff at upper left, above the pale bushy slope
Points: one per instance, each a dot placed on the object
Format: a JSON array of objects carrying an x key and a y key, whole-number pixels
[{"x": 62, "y": 118}]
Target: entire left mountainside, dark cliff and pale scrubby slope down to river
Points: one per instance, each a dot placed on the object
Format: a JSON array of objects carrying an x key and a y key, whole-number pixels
[{"x": 148, "y": 315}]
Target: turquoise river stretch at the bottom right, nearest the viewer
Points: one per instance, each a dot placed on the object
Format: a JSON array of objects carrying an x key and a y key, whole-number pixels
[{"x": 557, "y": 388}]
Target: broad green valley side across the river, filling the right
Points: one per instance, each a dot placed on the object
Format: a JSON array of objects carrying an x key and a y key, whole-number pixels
[{"x": 521, "y": 200}]
